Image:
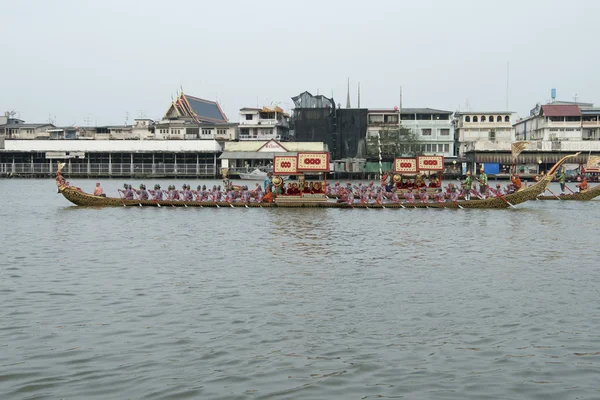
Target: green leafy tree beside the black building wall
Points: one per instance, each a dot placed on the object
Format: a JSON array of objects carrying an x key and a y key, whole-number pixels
[{"x": 400, "y": 142}]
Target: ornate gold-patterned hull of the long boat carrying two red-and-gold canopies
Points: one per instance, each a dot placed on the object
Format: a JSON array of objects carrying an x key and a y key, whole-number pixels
[{"x": 77, "y": 197}]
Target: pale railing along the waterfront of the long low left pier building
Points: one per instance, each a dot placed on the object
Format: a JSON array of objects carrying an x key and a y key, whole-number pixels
[{"x": 104, "y": 169}]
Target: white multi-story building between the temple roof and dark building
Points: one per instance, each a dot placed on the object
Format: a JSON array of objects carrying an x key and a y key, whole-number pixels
[{"x": 264, "y": 124}]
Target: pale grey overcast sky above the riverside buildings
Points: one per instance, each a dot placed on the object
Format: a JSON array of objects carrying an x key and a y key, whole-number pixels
[{"x": 96, "y": 61}]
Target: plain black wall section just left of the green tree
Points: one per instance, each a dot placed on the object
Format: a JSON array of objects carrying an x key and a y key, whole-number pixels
[{"x": 351, "y": 130}]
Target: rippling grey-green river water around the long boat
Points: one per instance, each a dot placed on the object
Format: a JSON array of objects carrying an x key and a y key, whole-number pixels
[{"x": 296, "y": 303}]
